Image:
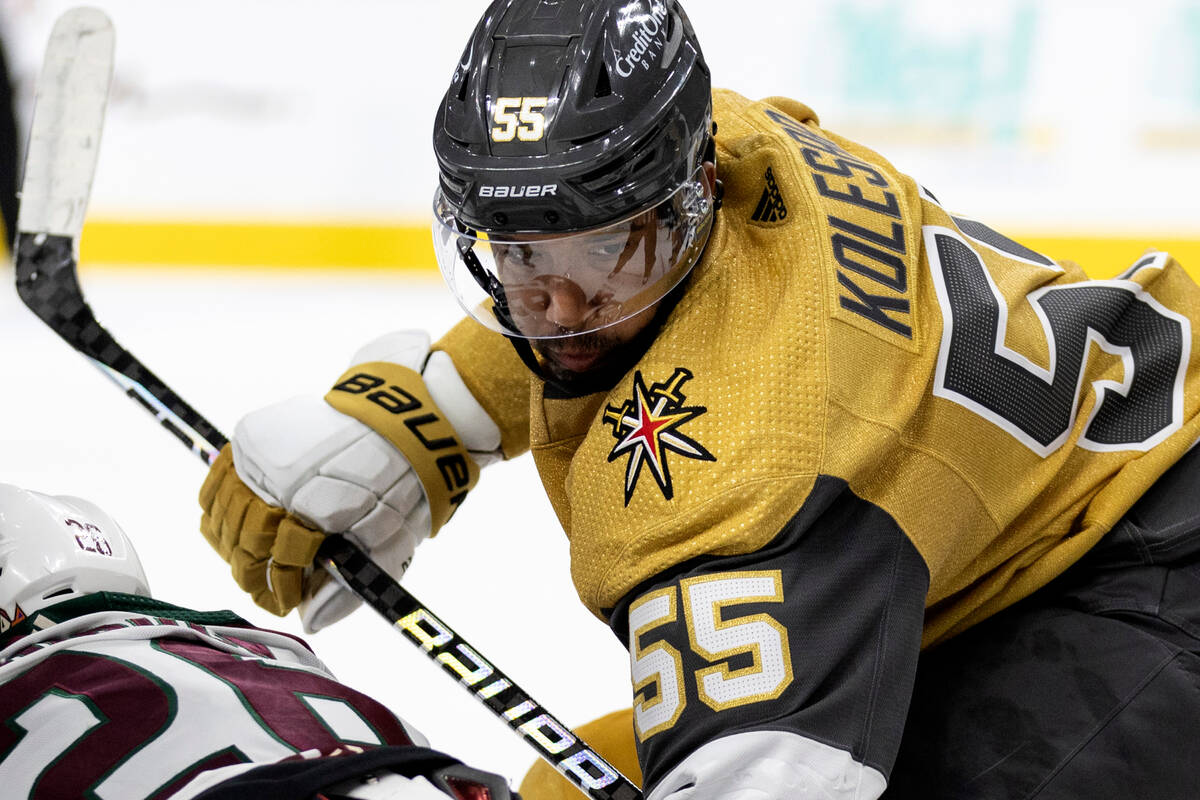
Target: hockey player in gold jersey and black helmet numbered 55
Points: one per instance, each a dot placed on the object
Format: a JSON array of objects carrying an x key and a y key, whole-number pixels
[{"x": 880, "y": 501}]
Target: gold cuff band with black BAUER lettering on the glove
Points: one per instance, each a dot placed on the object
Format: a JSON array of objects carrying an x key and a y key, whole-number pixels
[{"x": 394, "y": 402}]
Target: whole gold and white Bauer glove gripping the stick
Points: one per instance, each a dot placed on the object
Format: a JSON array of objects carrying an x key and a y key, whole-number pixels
[{"x": 385, "y": 459}]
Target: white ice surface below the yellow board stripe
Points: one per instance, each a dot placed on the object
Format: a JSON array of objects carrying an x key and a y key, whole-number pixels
[{"x": 229, "y": 342}]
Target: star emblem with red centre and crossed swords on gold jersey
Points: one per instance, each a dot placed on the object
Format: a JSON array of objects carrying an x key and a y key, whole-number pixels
[{"x": 647, "y": 428}]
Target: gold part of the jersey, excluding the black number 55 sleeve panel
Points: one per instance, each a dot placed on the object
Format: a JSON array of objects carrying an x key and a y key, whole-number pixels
[{"x": 1000, "y": 407}]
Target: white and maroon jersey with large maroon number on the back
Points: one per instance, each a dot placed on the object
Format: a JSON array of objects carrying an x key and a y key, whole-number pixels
[{"x": 121, "y": 697}]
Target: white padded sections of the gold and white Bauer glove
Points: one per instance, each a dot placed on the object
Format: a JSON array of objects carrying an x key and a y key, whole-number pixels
[{"x": 339, "y": 476}]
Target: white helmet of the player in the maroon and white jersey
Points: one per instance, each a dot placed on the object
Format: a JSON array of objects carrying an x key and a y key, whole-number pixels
[{"x": 55, "y": 549}]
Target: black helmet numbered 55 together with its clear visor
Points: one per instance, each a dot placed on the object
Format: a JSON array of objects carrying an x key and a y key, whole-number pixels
[{"x": 568, "y": 121}]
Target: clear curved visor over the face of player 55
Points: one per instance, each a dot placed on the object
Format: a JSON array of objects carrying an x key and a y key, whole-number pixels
[{"x": 543, "y": 287}]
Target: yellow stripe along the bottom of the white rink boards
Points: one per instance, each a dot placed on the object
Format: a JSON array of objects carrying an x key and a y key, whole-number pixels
[{"x": 409, "y": 246}]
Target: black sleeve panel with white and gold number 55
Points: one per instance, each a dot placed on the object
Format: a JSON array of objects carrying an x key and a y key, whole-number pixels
[{"x": 818, "y": 634}]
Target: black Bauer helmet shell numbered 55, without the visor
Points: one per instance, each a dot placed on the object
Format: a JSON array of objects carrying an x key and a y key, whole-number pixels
[{"x": 565, "y": 116}]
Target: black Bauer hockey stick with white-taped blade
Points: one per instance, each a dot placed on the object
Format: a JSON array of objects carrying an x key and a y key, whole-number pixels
[{"x": 69, "y": 118}]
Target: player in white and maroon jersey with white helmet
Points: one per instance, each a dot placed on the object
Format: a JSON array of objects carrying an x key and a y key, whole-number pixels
[{"x": 106, "y": 693}]
